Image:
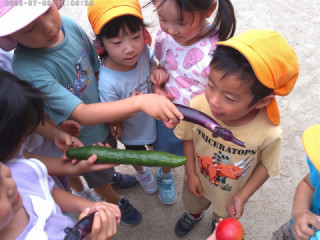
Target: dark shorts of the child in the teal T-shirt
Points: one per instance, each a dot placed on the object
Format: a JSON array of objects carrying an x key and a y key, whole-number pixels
[{"x": 100, "y": 178}]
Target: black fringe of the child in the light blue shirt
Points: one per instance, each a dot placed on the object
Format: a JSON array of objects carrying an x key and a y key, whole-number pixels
[{"x": 113, "y": 27}]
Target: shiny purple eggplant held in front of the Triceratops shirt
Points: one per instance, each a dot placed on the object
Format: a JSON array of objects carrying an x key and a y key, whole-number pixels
[{"x": 197, "y": 117}]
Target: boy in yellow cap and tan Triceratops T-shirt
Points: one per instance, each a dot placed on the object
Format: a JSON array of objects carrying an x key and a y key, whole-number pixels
[{"x": 246, "y": 73}]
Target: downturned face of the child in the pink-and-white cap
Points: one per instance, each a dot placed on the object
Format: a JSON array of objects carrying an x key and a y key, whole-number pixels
[{"x": 44, "y": 32}]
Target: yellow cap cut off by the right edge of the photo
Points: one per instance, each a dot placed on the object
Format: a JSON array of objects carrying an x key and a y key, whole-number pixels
[{"x": 311, "y": 142}]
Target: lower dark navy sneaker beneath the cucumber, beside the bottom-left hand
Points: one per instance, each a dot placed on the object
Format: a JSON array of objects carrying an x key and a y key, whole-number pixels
[{"x": 130, "y": 216}]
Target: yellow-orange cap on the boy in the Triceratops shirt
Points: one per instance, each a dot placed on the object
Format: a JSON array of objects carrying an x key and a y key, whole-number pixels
[{"x": 273, "y": 60}]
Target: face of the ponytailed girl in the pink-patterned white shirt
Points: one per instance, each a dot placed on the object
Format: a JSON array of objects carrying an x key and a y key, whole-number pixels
[{"x": 185, "y": 33}]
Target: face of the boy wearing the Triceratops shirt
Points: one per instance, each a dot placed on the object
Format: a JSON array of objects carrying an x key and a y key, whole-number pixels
[{"x": 229, "y": 99}]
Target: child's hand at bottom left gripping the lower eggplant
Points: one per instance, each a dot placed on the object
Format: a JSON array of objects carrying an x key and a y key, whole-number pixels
[{"x": 105, "y": 220}]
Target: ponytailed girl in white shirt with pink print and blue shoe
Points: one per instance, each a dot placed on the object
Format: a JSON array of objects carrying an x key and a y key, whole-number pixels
[{"x": 183, "y": 47}]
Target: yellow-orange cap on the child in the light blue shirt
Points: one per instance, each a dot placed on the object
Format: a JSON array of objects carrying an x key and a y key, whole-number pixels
[{"x": 101, "y": 12}]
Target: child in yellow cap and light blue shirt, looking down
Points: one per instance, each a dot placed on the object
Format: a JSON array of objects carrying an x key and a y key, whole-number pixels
[{"x": 119, "y": 28}]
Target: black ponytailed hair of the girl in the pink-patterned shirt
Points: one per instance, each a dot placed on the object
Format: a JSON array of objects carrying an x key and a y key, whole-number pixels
[{"x": 224, "y": 23}]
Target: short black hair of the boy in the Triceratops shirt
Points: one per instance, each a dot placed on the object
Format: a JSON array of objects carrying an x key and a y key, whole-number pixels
[{"x": 230, "y": 61}]
